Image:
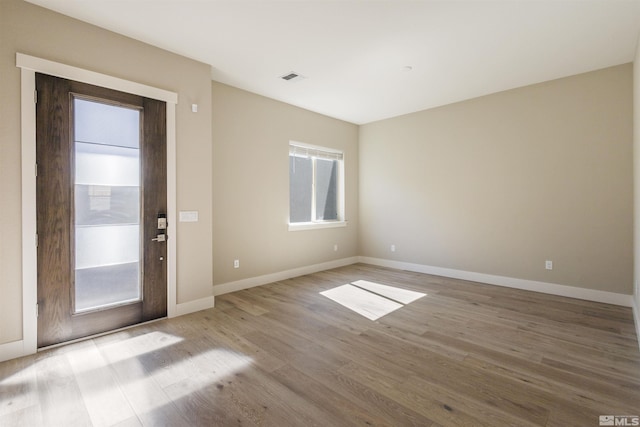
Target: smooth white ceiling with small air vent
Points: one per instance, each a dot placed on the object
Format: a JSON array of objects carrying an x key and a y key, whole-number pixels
[{"x": 353, "y": 53}]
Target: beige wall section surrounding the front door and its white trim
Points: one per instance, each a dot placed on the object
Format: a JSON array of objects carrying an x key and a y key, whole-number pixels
[{"x": 35, "y": 31}]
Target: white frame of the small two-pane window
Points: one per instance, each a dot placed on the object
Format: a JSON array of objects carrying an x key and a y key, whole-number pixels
[{"x": 308, "y": 150}]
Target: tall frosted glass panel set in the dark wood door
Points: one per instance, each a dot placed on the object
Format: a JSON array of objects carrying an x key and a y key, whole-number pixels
[{"x": 107, "y": 205}]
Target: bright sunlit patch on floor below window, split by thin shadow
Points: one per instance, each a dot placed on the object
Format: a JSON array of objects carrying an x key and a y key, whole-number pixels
[{"x": 371, "y": 300}]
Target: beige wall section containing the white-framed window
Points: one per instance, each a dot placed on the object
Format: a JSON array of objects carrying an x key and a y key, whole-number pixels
[{"x": 251, "y": 137}]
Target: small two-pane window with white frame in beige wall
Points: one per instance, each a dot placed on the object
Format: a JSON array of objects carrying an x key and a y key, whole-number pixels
[{"x": 316, "y": 196}]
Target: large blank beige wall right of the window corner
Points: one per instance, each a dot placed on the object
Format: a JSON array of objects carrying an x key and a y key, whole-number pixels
[{"x": 499, "y": 184}]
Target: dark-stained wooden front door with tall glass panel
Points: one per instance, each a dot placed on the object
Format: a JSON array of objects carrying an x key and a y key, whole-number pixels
[{"x": 101, "y": 187}]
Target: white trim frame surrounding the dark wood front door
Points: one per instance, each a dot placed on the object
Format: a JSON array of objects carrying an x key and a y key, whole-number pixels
[{"x": 29, "y": 65}]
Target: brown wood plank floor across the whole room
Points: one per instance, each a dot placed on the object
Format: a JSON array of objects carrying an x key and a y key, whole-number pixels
[{"x": 465, "y": 354}]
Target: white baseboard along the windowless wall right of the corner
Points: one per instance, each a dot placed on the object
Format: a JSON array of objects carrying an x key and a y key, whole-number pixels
[{"x": 510, "y": 282}]
